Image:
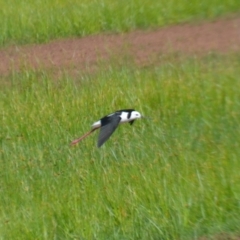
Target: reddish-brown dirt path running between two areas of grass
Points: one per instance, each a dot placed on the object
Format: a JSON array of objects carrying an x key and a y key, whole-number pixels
[{"x": 144, "y": 47}]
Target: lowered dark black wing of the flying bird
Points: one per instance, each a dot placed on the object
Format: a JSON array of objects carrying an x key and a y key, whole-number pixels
[{"x": 108, "y": 129}]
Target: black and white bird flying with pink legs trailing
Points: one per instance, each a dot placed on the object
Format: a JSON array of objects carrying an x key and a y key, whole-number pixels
[{"x": 109, "y": 123}]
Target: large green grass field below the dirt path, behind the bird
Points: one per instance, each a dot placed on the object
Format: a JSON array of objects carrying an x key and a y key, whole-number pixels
[{"x": 175, "y": 176}]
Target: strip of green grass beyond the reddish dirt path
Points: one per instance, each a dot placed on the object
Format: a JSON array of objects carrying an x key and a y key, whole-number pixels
[{"x": 39, "y": 21}]
